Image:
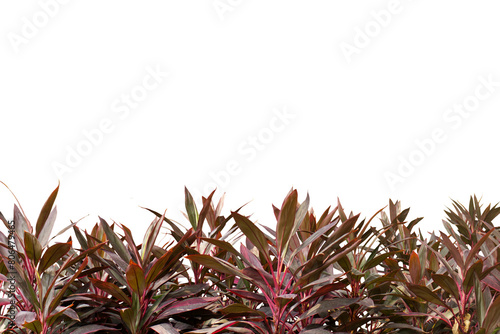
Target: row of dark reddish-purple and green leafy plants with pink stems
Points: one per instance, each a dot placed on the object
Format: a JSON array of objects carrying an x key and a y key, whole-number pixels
[{"x": 311, "y": 274}]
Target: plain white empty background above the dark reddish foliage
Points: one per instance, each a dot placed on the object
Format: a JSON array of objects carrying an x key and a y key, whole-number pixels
[{"x": 232, "y": 65}]
